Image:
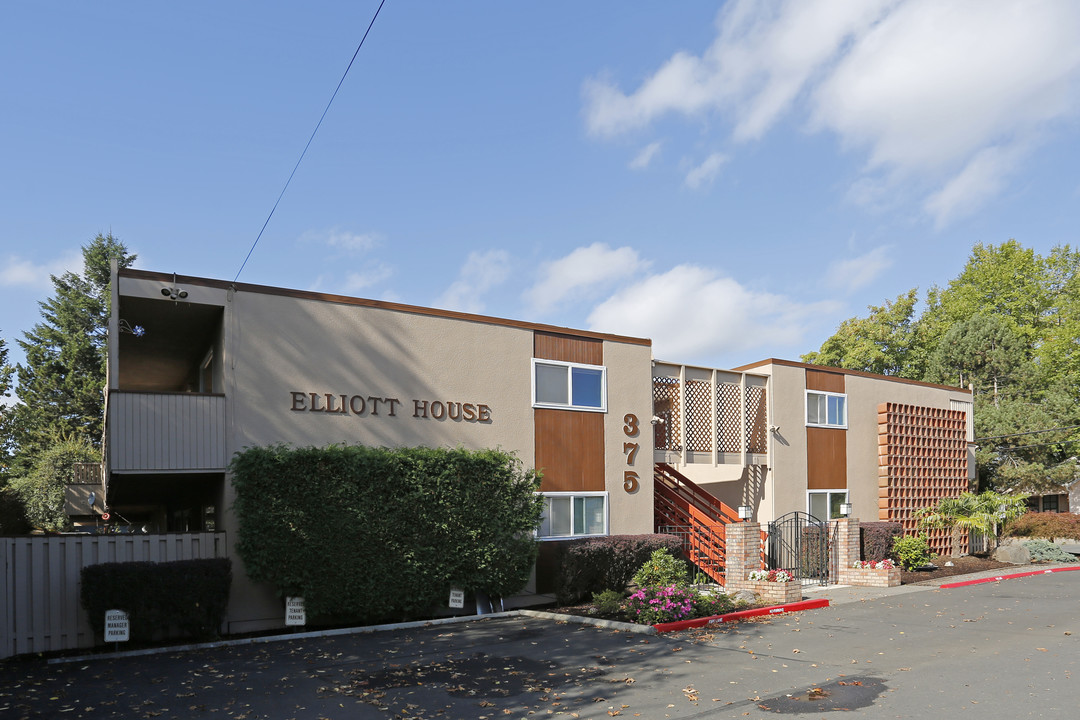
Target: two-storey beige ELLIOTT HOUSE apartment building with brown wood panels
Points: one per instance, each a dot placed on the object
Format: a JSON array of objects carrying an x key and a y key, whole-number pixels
[{"x": 199, "y": 370}]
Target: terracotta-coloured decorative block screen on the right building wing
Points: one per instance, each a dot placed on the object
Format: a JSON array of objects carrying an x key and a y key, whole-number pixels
[{"x": 923, "y": 457}]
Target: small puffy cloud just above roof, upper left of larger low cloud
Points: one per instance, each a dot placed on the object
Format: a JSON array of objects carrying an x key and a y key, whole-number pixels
[{"x": 587, "y": 273}]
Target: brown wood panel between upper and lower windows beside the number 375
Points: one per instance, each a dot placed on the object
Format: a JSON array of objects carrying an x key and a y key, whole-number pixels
[{"x": 570, "y": 451}]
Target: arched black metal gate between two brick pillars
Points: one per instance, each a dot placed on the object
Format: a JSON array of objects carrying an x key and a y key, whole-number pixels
[{"x": 803, "y": 546}]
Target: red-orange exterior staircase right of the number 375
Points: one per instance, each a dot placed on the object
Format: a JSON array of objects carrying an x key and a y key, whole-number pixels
[{"x": 681, "y": 508}]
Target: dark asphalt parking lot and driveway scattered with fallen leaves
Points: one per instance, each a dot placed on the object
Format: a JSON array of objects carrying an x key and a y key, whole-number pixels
[{"x": 1000, "y": 650}]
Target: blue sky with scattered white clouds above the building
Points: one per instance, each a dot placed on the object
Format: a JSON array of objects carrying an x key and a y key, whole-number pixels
[{"x": 730, "y": 180}]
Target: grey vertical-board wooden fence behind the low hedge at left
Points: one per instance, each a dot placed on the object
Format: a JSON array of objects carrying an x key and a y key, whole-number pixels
[{"x": 39, "y": 582}]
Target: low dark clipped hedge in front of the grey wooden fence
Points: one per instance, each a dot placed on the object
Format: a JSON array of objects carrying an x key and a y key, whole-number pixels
[{"x": 161, "y": 600}]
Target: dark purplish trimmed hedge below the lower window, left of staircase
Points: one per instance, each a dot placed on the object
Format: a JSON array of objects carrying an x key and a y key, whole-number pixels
[{"x": 602, "y": 564}]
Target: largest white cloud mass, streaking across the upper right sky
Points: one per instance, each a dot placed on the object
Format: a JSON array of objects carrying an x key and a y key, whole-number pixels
[{"x": 924, "y": 88}]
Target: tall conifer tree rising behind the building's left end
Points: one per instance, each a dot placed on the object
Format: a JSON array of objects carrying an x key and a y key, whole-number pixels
[{"x": 61, "y": 387}]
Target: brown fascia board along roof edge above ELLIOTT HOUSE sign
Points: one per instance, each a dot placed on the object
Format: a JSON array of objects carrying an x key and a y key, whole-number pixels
[{"x": 363, "y": 303}]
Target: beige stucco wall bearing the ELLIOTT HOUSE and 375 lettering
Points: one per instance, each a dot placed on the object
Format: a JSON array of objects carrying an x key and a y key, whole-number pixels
[{"x": 275, "y": 346}]
